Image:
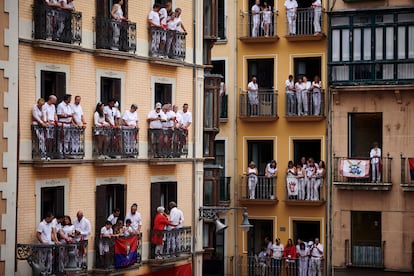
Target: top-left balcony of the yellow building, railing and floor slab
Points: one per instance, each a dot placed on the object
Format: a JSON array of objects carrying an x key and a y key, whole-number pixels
[{"x": 256, "y": 32}]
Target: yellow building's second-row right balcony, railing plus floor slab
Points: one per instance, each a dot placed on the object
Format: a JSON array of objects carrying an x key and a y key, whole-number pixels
[{"x": 314, "y": 104}]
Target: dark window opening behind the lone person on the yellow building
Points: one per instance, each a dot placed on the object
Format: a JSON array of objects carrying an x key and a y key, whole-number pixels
[{"x": 263, "y": 69}]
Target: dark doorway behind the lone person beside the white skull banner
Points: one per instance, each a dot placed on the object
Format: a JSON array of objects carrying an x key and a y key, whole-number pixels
[{"x": 364, "y": 129}]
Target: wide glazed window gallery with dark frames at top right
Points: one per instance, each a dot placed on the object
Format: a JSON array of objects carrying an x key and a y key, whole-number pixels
[{"x": 373, "y": 47}]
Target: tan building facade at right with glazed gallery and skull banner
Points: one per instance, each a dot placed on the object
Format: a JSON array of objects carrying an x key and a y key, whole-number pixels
[{"x": 370, "y": 75}]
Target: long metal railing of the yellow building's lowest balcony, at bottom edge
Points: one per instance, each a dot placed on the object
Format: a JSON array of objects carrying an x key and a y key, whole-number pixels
[{"x": 267, "y": 266}]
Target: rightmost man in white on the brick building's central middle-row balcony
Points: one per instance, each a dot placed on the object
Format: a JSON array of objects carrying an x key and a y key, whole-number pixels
[{"x": 130, "y": 130}]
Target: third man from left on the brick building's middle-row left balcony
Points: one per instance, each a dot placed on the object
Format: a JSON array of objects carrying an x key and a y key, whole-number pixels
[{"x": 64, "y": 113}]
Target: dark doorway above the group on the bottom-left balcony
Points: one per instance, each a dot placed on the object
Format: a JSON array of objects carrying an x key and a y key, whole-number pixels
[{"x": 52, "y": 200}]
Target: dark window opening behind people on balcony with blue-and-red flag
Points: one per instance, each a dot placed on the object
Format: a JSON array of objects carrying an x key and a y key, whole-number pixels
[{"x": 109, "y": 197}]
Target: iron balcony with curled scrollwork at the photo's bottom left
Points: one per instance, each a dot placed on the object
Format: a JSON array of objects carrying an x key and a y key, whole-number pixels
[{"x": 61, "y": 259}]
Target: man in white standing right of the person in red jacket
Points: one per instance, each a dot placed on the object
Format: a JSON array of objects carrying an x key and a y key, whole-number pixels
[{"x": 176, "y": 223}]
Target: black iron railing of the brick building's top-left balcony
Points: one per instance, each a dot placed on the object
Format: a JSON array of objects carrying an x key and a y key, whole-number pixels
[{"x": 53, "y": 23}]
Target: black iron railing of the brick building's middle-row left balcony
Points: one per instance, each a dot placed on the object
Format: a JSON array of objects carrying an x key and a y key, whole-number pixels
[{"x": 58, "y": 142}]
